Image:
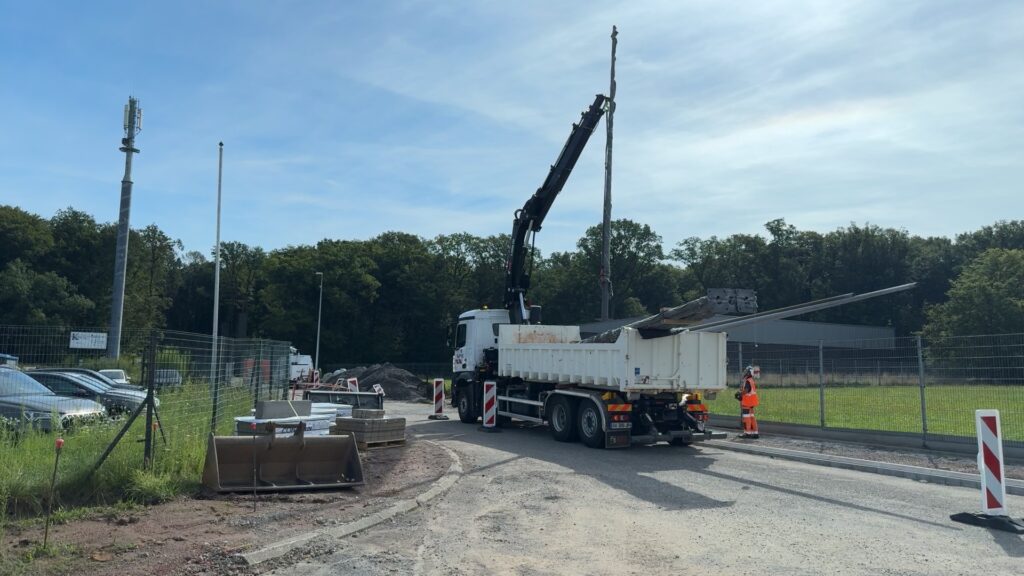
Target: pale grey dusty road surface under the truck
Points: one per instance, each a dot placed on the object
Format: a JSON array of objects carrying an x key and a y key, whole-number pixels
[{"x": 530, "y": 506}]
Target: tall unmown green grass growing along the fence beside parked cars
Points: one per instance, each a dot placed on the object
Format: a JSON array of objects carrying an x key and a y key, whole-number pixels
[{"x": 27, "y": 462}]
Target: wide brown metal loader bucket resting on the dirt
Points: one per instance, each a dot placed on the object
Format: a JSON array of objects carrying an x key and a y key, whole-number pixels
[{"x": 269, "y": 464}]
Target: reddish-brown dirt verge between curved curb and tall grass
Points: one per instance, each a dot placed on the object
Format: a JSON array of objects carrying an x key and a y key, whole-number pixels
[{"x": 201, "y": 536}]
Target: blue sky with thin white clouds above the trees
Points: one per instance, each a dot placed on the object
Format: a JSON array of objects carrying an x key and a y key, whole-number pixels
[{"x": 349, "y": 119}]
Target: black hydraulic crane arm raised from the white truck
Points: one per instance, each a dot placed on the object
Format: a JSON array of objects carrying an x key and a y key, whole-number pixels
[{"x": 531, "y": 217}]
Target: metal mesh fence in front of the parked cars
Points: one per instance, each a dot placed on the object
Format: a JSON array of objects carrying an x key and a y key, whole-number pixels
[{"x": 67, "y": 387}]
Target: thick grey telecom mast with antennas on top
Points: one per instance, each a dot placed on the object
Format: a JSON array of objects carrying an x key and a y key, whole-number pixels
[{"x": 133, "y": 126}]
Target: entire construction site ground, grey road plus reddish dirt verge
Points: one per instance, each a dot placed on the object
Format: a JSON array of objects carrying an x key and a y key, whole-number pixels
[{"x": 528, "y": 505}]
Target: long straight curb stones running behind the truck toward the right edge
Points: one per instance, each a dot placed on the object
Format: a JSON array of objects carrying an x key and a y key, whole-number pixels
[{"x": 933, "y": 476}]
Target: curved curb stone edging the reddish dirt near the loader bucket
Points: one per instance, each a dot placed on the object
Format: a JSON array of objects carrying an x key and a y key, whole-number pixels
[{"x": 282, "y": 548}]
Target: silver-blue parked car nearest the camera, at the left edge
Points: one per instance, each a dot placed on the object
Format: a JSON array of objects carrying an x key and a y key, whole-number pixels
[{"x": 27, "y": 404}]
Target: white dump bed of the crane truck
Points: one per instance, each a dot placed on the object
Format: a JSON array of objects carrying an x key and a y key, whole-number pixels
[{"x": 687, "y": 361}]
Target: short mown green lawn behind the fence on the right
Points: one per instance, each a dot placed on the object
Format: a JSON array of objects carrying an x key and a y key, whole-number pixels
[{"x": 951, "y": 408}]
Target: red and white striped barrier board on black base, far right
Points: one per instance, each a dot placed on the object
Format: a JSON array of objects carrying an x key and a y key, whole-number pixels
[{"x": 994, "y": 488}]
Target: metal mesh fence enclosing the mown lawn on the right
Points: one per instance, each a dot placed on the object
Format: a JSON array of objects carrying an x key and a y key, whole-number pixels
[{"x": 907, "y": 385}]
